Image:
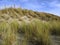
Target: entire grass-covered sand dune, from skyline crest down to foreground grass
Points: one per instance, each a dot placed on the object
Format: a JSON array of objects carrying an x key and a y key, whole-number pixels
[{"x": 27, "y": 27}]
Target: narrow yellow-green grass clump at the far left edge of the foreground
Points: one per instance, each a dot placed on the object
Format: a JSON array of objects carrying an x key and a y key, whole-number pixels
[{"x": 3, "y": 31}]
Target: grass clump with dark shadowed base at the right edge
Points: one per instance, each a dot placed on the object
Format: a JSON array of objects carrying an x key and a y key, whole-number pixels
[{"x": 55, "y": 28}]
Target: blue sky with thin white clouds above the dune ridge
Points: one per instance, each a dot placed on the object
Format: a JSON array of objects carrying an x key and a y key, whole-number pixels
[{"x": 49, "y": 6}]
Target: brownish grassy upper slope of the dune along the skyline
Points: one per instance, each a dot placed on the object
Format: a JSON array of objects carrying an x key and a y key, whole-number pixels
[{"x": 18, "y": 12}]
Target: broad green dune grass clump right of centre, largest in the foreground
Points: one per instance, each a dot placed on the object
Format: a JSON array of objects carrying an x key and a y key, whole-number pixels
[{"x": 35, "y": 33}]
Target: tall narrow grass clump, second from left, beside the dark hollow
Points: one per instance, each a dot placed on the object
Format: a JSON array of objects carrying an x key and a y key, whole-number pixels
[{"x": 13, "y": 34}]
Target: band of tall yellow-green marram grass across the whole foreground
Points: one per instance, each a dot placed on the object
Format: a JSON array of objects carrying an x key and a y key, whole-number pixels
[{"x": 34, "y": 32}]
